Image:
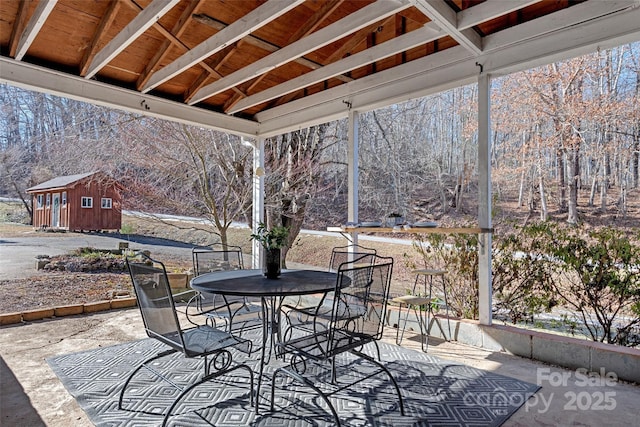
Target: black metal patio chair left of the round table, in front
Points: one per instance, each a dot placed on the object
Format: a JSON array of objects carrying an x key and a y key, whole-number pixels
[{"x": 162, "y": 323}]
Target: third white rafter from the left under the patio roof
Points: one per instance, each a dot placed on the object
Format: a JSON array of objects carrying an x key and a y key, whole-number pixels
[{"x": 249, "y": 23}]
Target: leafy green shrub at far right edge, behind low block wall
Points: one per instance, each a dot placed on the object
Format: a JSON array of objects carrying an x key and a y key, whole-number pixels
[{"x": 599, "y": 280}]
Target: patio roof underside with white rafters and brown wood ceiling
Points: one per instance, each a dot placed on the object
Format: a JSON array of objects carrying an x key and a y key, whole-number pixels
[{"x": 569, "y": 31}]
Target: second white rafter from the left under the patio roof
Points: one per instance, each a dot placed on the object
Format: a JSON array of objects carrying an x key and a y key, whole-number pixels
[{"x": 141, "y": 23}]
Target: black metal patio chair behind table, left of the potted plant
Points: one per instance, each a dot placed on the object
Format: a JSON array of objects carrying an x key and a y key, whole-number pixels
[{"x": 231, "y": 313}]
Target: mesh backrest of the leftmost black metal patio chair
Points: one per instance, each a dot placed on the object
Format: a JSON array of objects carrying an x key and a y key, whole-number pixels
[{"x": 155, "y": 301}]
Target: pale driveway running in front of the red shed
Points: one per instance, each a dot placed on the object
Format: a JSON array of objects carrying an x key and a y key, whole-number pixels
[{"x": 18, "y": 254}]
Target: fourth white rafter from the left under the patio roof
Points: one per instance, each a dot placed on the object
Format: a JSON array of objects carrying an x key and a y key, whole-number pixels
[{"x": 353, "y": 22}]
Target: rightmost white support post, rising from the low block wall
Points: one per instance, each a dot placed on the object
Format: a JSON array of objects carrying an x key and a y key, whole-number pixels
[{"x": 484, "y": 198}]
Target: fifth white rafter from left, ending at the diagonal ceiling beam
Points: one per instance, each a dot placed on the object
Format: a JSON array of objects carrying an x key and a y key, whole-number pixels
[{"x": 399, "y": 44}]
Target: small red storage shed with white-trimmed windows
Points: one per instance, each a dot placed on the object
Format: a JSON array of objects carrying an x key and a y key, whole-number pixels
[{"x": 84, "y": 202}]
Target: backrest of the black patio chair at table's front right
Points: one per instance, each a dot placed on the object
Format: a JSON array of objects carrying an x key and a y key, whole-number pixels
[{"x": 361, "y": 296}]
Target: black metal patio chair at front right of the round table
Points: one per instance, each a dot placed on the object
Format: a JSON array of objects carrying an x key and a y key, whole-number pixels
[{"x": 357, "y": 318}]
